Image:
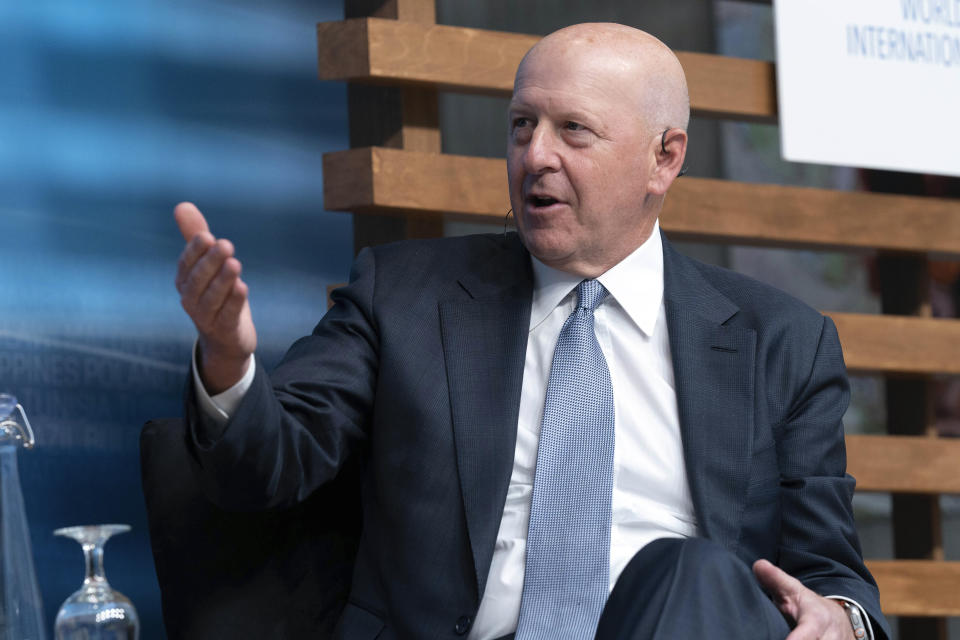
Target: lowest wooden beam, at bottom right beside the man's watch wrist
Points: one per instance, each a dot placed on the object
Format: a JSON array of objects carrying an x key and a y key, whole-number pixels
[{"x": 917, "y": 587}]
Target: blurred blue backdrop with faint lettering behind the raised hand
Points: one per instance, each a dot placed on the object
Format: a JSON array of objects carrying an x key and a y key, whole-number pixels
[{"x": 110, "y": 113}]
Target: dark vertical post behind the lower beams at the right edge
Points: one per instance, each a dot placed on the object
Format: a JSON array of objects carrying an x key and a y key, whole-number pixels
[{"x": 917, "y": 528}]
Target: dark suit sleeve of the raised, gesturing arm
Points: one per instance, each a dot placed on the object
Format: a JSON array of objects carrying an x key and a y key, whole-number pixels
[{"x": 295, "y": 428}]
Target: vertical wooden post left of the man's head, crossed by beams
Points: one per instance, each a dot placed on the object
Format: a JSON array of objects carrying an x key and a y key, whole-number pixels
[{"x": 391, "y": 117}]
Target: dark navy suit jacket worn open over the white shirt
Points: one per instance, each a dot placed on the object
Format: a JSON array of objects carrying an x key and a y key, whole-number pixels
[{"x": 418, "y": 367}]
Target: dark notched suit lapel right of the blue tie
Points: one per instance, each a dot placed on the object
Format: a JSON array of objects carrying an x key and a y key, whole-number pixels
[{"x": 713, "y": 365}]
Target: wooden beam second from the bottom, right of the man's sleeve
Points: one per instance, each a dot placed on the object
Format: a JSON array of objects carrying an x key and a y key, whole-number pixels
[{"x": 904, "y": 464}]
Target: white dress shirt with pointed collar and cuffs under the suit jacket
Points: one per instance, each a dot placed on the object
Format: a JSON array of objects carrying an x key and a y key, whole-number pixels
[{"x": 651, "y": 491}]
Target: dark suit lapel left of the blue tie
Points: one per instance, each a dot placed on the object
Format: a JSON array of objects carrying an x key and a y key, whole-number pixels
[{"x": 484, "y": 334}]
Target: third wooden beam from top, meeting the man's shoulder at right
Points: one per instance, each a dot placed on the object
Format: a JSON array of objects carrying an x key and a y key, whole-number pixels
[{"x": 898, "y": 344}]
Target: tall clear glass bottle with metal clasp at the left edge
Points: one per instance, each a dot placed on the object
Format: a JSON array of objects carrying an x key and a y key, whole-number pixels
[{"x": 21, "y": 613}]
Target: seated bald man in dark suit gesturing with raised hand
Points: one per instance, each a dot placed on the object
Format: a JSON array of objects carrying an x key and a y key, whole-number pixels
[{"x": 445, "y": 364}]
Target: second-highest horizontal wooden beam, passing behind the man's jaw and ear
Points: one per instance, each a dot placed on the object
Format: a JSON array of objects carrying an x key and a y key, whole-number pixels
[{"x": 383, "y": 180}]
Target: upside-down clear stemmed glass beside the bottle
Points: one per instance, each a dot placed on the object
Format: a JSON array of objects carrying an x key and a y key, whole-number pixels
[{"x": 95, "y": 611}]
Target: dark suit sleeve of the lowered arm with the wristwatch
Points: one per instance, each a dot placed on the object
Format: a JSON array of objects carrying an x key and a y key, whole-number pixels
[{"x": 818, "y": 541}]
